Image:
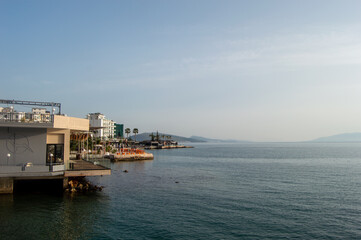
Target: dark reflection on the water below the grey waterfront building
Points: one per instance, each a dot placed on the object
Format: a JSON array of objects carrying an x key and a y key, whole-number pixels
[{"x": 43, "y": 216}]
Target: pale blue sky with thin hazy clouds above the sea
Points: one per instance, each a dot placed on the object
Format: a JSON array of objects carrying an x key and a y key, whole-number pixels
[{"x": 249, "y": 70}]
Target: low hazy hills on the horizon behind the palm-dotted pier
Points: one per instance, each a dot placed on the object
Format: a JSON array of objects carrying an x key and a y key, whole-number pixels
[{"x": 196, "y": 139}]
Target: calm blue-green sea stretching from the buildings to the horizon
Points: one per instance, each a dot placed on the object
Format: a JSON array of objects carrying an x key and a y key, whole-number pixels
[{"x": 230, "y": 191}]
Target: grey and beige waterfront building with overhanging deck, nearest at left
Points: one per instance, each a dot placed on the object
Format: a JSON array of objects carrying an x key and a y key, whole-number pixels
[{"x": 31, "y": 150}]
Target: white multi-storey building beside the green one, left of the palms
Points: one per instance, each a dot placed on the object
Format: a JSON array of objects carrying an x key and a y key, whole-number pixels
[{"x": 104, "y": 128}]
